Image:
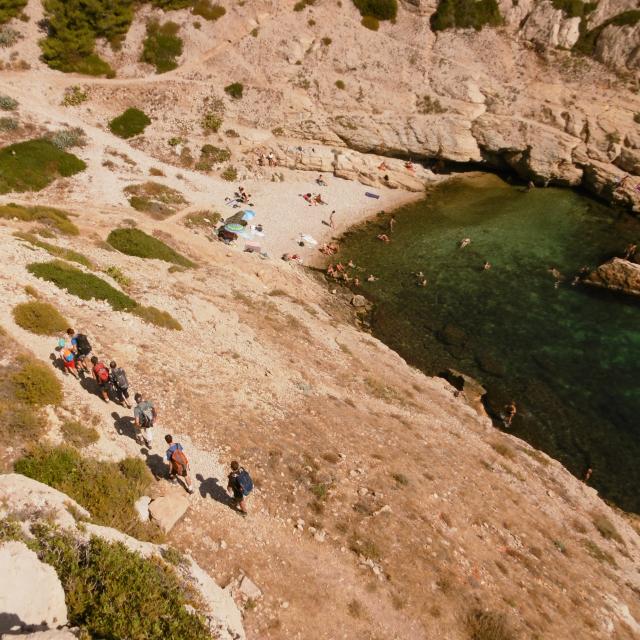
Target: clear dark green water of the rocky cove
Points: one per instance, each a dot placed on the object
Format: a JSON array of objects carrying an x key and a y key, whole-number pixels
[{"x": 569, "y": 356}]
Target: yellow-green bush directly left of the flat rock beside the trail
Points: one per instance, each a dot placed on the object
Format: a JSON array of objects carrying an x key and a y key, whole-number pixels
[{"x": 107, "y": 490}]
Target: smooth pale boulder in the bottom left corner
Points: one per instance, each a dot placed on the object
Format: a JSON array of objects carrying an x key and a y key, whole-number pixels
[{"x": 31, "y": 596}]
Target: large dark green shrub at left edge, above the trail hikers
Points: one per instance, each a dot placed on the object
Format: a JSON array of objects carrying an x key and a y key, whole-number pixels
[{"x": 35, "y": 164}]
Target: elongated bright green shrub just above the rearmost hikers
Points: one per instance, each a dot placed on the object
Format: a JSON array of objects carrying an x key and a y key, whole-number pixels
[{"x": 78, "y": 283}]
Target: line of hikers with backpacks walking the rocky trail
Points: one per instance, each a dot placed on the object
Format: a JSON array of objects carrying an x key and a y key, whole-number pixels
[{"x": 74, "y": 353}]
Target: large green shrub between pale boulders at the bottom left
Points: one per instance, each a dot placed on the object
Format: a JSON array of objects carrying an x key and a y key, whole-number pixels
[{"x": 112, "y": 592}]
